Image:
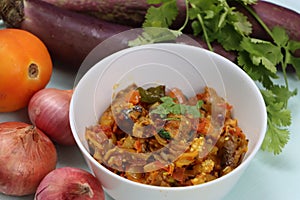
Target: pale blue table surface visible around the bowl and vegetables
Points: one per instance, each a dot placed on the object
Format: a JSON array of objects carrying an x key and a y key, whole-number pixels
[{"x": 268, "y": 177}]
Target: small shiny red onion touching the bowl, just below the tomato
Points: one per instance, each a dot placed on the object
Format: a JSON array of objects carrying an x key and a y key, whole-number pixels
[{"x": 48, "y": 109}]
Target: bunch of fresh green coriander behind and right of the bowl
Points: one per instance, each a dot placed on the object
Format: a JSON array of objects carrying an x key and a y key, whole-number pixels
[{"x": 218, "y": 21}]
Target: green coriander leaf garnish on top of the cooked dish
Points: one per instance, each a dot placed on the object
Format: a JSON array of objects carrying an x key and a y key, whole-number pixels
[{"x": 168, "y": 106}]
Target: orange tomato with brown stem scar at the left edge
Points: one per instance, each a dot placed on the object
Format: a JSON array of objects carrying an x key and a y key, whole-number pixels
[{"x": 25, "y": 68}]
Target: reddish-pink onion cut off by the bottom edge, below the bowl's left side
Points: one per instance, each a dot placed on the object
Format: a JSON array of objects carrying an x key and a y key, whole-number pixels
[{"x": 69, "y": 183}]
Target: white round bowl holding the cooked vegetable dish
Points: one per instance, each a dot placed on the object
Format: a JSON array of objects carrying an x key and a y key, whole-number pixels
[{"x": 187, "y": 67}]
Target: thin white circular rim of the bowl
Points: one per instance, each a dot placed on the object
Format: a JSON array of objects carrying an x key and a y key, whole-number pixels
[{"x": 242, "y": 165}]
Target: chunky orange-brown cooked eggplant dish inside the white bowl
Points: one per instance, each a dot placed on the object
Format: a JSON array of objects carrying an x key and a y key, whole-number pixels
[{"x": 160, "y": 137}]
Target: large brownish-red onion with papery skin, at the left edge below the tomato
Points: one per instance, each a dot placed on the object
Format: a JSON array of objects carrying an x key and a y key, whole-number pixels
[{"x": 27, "y": 155}]
